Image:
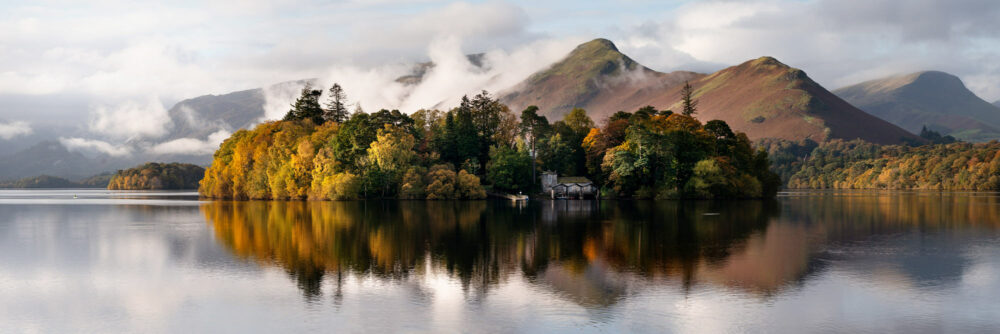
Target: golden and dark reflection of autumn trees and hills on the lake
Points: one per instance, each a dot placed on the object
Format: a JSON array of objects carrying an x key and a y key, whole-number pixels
[{"x": 589, "y": 252}]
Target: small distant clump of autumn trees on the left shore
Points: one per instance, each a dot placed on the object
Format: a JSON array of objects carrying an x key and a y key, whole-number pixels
[{"x": 157, "y": 176}]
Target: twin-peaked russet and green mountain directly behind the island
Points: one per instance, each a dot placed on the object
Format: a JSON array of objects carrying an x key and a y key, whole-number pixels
[{"x": 763, "y": 97}]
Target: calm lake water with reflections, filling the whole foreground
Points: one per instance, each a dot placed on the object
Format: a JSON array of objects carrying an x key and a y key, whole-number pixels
[{"x": 812, "y": 261}]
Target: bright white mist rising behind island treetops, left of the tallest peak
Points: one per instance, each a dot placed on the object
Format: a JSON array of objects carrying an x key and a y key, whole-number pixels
[{"x": 441, "y": 87}]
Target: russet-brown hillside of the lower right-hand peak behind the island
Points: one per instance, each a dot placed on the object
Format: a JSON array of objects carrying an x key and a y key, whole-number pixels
[{"x": 768, "y": 99}]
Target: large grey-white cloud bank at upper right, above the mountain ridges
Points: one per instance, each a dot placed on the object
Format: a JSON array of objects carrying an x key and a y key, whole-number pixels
[{"x": 836, "y": 42}]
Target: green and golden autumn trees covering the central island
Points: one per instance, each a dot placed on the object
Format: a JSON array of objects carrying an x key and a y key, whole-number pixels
[{"x": 325, "y": 152}]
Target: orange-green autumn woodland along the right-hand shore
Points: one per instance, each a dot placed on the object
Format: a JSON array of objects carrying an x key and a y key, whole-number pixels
[{"x": 839, "y": 164}]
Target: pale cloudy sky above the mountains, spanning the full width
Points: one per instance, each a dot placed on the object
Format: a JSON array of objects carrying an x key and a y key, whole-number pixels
[{"x": 108, "y": 70}]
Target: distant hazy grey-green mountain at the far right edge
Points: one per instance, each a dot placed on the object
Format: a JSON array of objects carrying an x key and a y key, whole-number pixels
[{"x": 937, "y": 100}]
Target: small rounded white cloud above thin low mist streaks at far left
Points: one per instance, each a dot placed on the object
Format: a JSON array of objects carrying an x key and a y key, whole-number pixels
[{"x": 131, "y": 119}]
